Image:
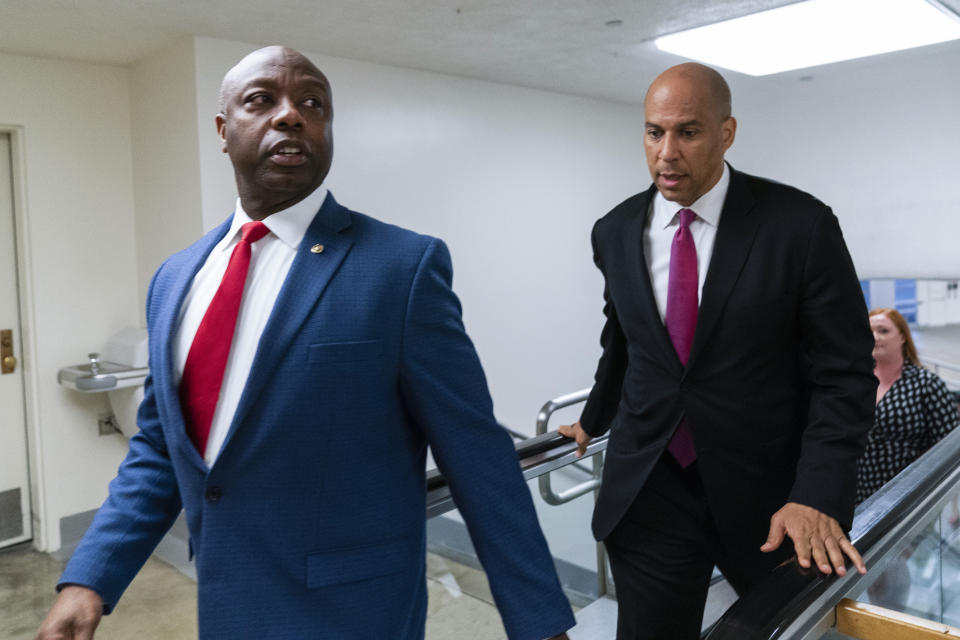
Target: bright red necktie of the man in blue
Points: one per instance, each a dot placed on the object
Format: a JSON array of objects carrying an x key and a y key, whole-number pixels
[{"x": 207, "y": 358}]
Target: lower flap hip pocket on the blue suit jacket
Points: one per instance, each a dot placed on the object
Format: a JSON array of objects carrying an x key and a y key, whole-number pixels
[{"x": 343, "y": 566}]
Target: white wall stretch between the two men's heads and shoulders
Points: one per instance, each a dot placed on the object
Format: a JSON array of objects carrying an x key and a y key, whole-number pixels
[{"x": 512, "y": 179}]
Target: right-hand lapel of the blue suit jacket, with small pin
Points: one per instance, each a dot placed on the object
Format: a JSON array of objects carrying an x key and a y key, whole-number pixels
[{"x": 309, "y": 275}]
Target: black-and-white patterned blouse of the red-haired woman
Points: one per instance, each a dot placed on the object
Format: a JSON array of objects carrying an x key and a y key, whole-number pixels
[{"x": 912, "y": 416}]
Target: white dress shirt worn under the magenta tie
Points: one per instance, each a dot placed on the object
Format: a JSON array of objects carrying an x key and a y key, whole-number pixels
[{"x": 662, "y": 226}]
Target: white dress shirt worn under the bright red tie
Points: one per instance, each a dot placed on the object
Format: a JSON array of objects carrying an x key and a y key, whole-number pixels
[{"x": 270, "y": 260}]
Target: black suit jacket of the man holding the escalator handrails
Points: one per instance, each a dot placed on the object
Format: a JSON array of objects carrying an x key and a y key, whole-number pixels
[{"x": 779, "y": 388}]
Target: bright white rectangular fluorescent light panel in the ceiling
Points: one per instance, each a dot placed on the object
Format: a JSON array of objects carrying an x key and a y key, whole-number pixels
[{"x": 815, "y": 32}]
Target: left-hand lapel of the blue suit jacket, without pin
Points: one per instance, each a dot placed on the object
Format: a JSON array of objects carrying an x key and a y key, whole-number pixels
[{"x": 184, "y": 267}]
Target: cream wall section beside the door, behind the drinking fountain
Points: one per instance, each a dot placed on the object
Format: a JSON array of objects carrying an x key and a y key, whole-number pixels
[{"x": 81, "y": 278}]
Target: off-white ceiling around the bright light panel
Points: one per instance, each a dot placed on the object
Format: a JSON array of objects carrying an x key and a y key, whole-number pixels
[{"x": 556, "y": 45}]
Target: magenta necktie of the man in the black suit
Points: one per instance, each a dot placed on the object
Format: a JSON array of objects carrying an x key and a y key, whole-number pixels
[{"x": 681, "y": 319}]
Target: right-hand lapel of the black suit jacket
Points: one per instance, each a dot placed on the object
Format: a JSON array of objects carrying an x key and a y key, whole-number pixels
[{"x": 735, "y": 235}]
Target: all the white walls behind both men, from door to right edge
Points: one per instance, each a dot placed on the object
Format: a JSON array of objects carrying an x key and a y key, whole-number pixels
[{"x": 511, "y": 178}]
